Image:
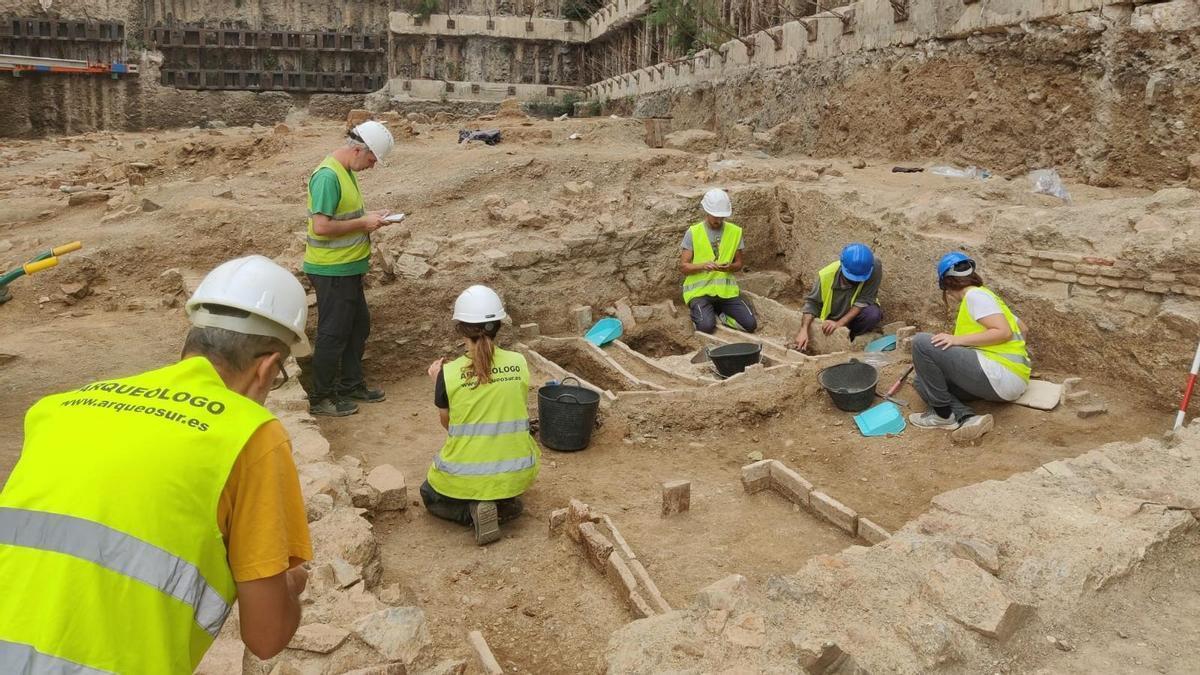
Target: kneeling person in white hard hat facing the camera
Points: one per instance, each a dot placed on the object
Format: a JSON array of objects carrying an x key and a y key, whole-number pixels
[{"x": 712, "y": 253}]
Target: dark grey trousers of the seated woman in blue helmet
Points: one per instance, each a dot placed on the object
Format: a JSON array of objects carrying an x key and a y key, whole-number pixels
[{"x": 949, "y": 378}]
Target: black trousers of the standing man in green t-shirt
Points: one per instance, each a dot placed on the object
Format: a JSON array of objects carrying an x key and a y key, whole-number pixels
[{"x": 344, "y": 324}]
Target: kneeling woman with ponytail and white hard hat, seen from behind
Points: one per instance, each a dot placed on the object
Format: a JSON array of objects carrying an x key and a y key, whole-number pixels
[{"x": 489, "y": 458}]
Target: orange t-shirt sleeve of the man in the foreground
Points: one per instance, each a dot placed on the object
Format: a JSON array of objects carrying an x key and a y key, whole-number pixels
[{"x": 262, "y": 515}]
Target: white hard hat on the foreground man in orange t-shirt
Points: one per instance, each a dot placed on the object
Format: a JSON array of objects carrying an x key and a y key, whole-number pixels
[{"x": 278, "y": 304}]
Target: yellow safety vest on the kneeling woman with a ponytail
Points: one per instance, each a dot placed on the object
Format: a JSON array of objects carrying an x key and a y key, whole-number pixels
[{"x": 489, "y": 453}]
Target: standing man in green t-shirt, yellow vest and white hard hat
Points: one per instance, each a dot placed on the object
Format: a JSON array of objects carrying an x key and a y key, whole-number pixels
[{"x": 337, "y": 259}]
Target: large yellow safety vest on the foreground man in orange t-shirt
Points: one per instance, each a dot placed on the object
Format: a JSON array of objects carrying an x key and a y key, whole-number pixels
[{"x": 111, "y": 555}]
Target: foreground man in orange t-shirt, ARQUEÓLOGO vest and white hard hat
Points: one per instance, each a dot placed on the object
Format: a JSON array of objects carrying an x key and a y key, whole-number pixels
[{"x": 142, "y": 507}]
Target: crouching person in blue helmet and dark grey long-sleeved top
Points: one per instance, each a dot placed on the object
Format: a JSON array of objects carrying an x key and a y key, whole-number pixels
[{"x": 845, "y": 296}]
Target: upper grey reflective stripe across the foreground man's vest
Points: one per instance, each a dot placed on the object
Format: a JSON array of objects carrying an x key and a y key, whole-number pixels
[{"x": 119, "y": 553}]
